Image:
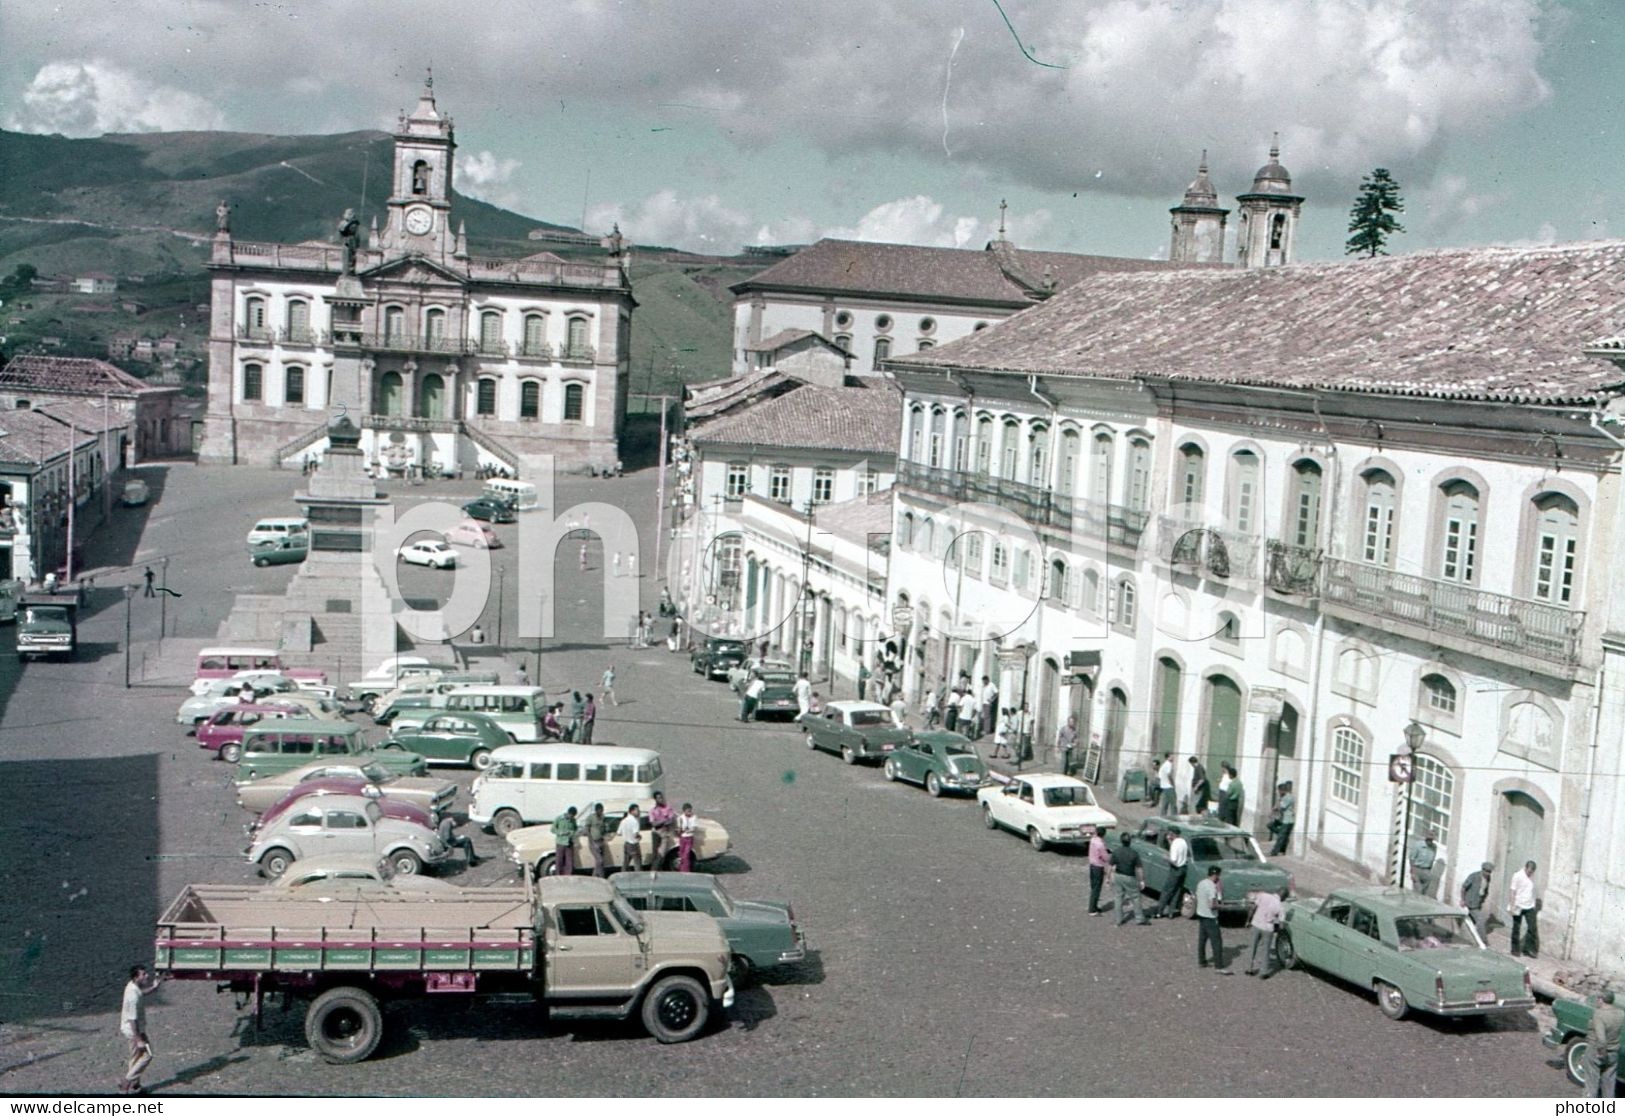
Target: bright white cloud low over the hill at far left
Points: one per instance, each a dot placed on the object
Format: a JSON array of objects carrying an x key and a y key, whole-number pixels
[{"x": 93, "y": 98}]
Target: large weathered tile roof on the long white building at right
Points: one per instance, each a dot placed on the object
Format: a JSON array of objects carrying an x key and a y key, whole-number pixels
[{"x": 1481, "y": 324}]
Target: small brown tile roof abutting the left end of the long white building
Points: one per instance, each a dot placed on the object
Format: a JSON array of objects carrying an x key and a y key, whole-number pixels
[{"x": 862, "y": 420}]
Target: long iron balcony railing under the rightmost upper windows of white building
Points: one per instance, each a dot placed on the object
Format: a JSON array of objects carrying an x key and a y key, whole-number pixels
[{"x": 1528, "y": 628}]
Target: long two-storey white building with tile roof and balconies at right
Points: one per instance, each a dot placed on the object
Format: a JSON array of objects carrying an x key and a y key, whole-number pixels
[{"x": 1302, "y": 519}]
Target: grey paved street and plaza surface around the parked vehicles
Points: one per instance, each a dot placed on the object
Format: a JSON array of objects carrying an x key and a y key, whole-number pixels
[{"x": 947, "y": 959}]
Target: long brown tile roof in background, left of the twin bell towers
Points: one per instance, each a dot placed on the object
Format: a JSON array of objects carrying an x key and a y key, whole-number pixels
[{"x": 1002, "y": 274}]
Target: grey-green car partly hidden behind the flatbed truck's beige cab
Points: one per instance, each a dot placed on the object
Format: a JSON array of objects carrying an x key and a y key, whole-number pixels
[{"x": 761, "y": 933}]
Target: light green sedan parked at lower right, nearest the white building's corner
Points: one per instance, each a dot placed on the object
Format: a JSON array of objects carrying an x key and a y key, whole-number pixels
[{"x": 1413, "y": 951}]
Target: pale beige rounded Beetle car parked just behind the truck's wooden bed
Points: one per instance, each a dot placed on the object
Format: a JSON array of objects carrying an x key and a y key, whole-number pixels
[{"x": 344, "y": 824}]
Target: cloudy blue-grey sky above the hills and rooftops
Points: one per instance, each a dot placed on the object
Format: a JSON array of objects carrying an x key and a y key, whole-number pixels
[{"x": 729, "y": 123}]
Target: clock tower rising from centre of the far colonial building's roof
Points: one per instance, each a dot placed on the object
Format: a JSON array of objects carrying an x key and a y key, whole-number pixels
[{"x": 420, "y": 209}]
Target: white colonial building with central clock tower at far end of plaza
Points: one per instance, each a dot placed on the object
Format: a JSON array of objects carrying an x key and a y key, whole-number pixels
[{"x": 449, "y": 361}]
